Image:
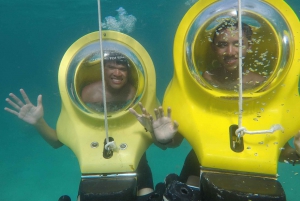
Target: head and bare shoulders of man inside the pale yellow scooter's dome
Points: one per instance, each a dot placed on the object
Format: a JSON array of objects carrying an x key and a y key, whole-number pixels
[{"x": 118, "y": 90}]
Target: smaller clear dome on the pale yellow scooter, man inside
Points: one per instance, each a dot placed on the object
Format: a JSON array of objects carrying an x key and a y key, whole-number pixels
[{"x": 84, "y": 81}]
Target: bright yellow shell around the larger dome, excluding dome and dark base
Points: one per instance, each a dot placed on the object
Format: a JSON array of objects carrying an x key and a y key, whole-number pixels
[{"x": 205, "y": 115}]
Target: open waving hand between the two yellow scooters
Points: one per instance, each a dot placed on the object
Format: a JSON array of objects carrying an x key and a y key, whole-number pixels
[{"x": 164, "y": 132}]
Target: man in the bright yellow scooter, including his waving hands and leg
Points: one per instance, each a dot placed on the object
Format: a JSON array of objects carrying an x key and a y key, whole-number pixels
[{"x": 225, "y": 46}]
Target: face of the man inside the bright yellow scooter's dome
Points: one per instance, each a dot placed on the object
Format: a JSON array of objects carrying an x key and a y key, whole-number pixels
[{"x": 226, "y": 48}]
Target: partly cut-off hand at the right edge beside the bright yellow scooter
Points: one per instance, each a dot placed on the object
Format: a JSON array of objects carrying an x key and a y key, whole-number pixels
[{"x": 290, "y": 154}]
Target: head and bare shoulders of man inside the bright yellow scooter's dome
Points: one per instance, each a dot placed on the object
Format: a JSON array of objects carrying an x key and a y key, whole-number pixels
[{"x": 225, "y": 45}]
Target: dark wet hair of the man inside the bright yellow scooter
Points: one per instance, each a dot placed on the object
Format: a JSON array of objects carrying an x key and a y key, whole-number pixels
[{"x": 231, "y": 23}]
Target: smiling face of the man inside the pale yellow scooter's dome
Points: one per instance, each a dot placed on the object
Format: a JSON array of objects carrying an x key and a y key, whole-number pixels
[{"x": 116, "y": 75}]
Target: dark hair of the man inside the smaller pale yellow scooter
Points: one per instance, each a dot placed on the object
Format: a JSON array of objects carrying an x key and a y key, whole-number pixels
[{"x": 119, "y": 58}]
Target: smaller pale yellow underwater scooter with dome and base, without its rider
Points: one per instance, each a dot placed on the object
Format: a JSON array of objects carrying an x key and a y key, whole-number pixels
[{"x": 105, "y": 172}]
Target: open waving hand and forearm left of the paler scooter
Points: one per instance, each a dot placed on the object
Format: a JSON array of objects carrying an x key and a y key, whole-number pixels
[{"x": 33, "y": 115}]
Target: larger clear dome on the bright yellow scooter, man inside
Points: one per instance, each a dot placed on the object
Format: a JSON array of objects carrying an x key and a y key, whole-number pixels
[{"x": 211, "y": 47}]
